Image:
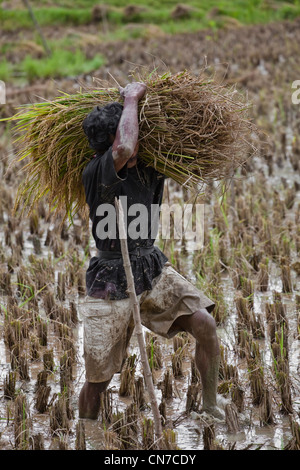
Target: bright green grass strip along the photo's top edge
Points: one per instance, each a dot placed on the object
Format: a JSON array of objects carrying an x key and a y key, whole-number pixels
[{"x": 156, "y": 12}]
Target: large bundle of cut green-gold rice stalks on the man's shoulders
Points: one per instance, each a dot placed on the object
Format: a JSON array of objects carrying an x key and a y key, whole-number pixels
[{"x": 191, "y": 129}]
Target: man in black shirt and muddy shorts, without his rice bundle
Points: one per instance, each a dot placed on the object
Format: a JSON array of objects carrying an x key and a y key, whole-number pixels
[{"x": 168, "y": 302}]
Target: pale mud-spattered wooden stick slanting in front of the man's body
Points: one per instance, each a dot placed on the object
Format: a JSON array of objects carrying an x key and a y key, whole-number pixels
[{"x": 137, "y": 320}]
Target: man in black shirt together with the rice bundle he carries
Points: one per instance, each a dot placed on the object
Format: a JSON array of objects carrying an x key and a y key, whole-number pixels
[{"x": 188, "y": 128}]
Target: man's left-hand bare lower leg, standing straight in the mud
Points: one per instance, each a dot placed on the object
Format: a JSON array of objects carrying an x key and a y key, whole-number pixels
[{"x": 89, "y": 399}]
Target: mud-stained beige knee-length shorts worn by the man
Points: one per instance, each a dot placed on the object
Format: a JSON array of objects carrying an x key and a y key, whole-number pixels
[{"x": 108, "y": 324}]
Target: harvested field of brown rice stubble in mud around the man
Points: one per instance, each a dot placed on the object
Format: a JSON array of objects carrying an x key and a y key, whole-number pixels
[{"x": 252, "y": 252}]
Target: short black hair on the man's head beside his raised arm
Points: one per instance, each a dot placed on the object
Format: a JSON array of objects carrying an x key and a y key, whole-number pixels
[{"x": 100, "y": 124}]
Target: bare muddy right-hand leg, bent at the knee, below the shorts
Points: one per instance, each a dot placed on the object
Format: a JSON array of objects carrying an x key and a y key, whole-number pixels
[{"x": 201, "y": 325}]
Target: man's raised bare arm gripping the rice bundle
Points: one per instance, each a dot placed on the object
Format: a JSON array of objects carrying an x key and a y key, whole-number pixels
[{"x": 128, "y": 129}]
